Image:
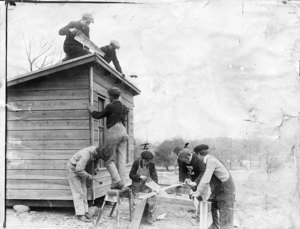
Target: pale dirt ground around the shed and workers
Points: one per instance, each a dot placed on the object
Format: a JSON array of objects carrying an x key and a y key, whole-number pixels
[{"x": 260, "y": 204}]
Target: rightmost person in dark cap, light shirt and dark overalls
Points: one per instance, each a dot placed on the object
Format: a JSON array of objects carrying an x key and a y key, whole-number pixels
[{"x": 224, "y": 193}]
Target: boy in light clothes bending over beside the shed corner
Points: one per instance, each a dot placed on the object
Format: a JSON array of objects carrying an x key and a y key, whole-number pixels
[{"x": 78, "y": 177}]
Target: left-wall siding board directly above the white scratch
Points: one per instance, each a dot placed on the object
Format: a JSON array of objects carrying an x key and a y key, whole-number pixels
[{"x": 20, "y": 95}]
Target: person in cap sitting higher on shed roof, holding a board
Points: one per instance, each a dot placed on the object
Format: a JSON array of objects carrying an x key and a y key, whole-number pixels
[{"x": 73, "y": 48}]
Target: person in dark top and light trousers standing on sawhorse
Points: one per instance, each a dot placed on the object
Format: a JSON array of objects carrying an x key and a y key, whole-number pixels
[{"x": 116, "y": 136}]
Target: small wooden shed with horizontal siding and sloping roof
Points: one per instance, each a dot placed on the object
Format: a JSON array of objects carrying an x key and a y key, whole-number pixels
[{"x": 48, "y": 121}]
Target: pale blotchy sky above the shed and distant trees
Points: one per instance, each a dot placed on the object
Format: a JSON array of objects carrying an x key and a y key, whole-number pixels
[{"x": 219, "y": 68}]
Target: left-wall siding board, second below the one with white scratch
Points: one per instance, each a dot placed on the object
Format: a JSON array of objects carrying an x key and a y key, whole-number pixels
[{"x": 49, "y": 124}]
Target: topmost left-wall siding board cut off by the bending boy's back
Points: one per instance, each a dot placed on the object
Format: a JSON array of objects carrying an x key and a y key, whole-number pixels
[{"x": 42, "y": 154}]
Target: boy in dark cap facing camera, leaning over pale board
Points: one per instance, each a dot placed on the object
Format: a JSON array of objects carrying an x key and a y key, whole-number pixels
[{"x": 144, "y": 170}]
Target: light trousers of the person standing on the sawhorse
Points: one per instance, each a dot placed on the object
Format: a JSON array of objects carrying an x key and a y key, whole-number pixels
[{"x": 116, "y": 140}]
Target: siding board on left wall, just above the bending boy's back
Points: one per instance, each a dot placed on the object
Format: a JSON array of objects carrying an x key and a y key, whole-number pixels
[{"x": 47, "y": 144}]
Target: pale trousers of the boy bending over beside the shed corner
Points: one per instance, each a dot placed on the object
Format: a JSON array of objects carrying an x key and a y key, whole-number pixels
[{"x": 78, "y": 189}]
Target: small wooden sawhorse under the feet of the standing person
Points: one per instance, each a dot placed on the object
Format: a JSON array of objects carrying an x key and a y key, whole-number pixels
[{"x": 114, "y": 196}]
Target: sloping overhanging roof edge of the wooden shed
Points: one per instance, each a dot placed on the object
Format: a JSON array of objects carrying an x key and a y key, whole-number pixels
[{"x": 90, "y": 58}]
